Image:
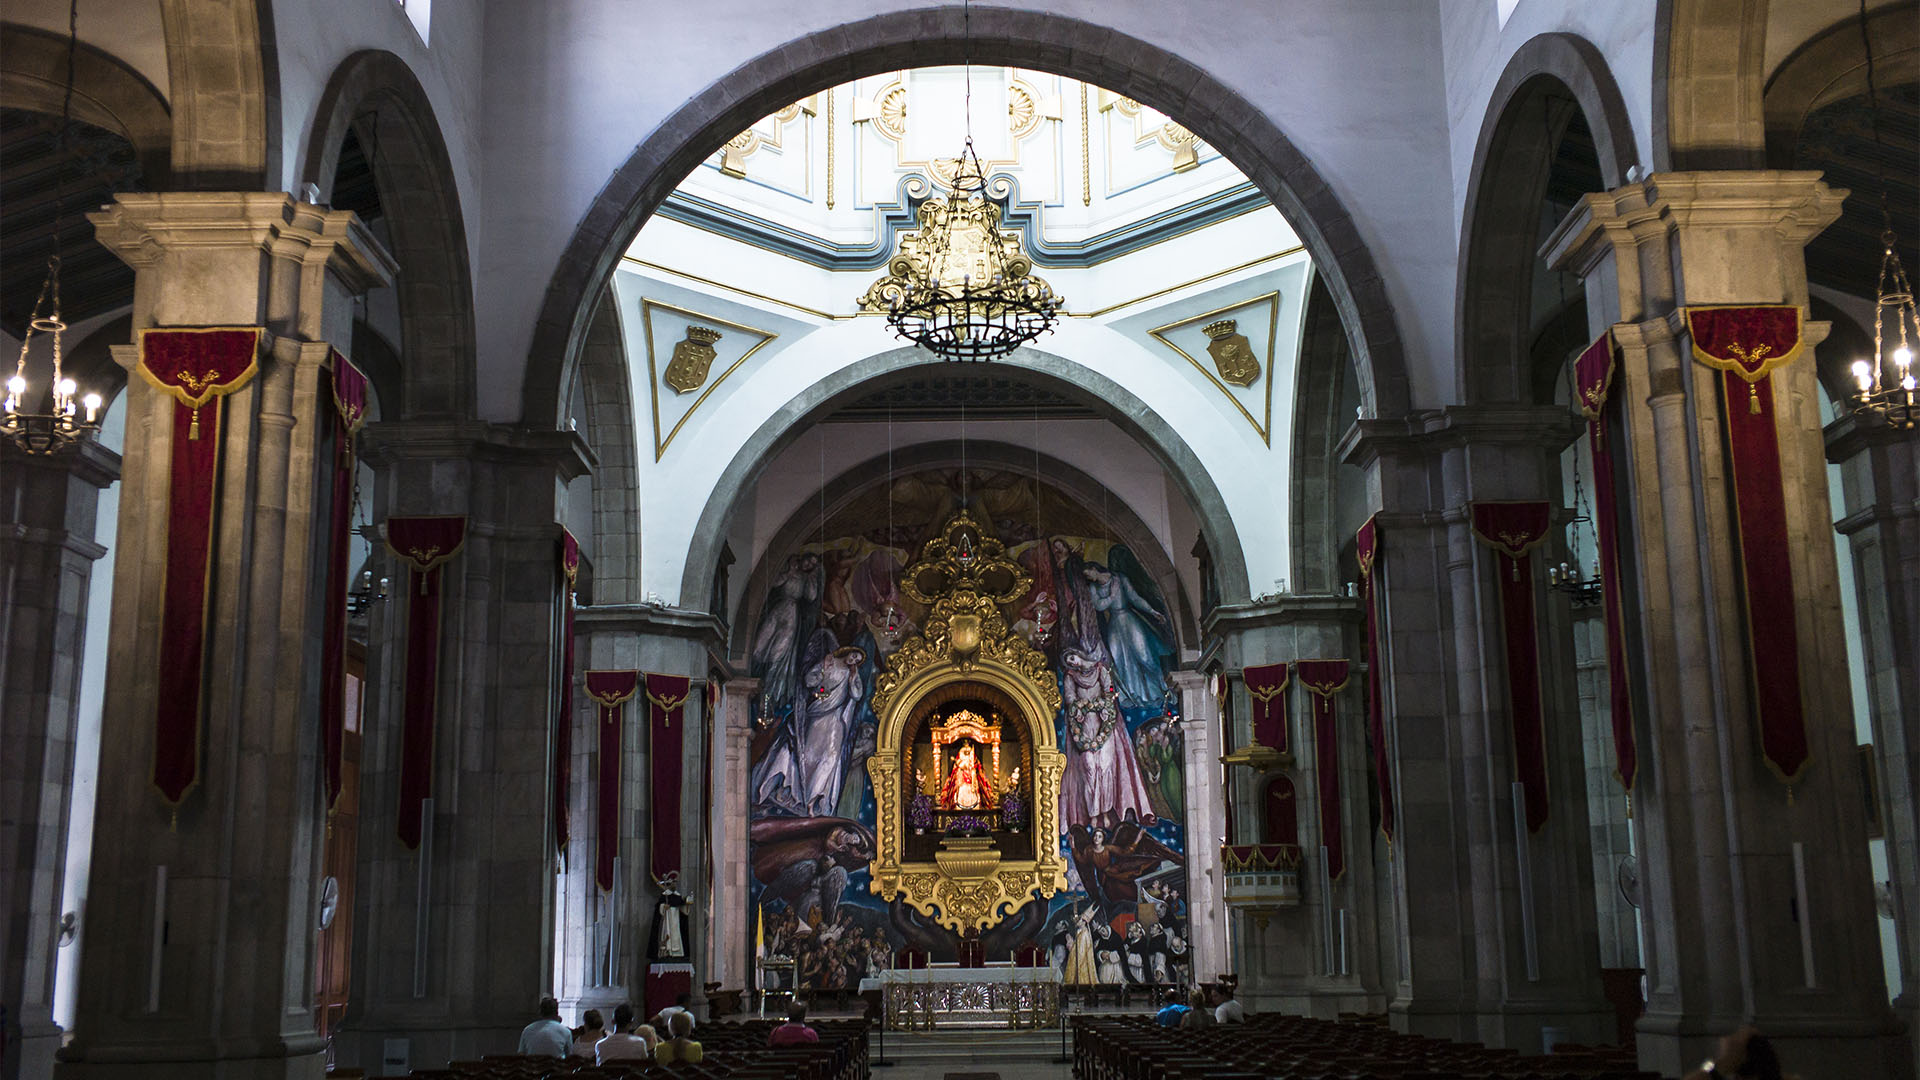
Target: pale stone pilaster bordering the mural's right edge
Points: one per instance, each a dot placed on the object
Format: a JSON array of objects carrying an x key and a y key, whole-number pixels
[{"x": 1207, "y": 827}]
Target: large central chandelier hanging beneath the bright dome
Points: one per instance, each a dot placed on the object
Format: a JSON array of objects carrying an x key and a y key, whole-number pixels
[{"x": 967, "y": 293}]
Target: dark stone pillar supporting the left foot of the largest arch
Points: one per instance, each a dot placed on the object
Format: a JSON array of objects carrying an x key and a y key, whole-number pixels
[{"x": 454, "y": 941}]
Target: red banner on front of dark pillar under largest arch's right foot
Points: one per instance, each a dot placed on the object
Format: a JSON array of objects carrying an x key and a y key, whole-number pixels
[{"x": 1514, "y": 529}]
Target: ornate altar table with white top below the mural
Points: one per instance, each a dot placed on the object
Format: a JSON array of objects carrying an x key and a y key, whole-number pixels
[{"x": 982, "y": 996}]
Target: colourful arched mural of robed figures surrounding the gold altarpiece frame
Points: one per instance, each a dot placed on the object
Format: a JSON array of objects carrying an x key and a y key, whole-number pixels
[{"x": 834, "y": 612}]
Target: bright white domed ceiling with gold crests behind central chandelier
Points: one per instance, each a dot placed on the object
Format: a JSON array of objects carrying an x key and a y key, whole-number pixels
[{"x": 1153, "y": 239}]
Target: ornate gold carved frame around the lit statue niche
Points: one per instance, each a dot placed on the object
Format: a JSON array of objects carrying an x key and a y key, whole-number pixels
[{"x": 965, "y": 577}]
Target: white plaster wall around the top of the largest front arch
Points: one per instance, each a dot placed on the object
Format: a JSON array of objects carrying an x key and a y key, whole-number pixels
[{"x": 575, "y": 86}]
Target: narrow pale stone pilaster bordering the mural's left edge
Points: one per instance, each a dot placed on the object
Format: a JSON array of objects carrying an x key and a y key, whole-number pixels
[{"x": 732, "y": 937}]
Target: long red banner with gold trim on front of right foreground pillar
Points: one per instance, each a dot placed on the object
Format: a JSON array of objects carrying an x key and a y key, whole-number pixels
[{"x": 1746, "y": 345}]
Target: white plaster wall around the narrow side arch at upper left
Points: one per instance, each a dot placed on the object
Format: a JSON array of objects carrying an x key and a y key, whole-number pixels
[{"x": 314, "y": 39}]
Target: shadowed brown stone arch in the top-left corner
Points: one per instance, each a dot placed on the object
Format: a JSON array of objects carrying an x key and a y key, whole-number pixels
[{"x": 107, "y": 93}]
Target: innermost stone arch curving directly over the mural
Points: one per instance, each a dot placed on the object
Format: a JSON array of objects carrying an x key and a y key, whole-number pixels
[{"x": 1009, "y": 456}]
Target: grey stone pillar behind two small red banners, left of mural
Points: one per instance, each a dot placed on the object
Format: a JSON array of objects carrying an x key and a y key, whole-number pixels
[{"x": 665, "y": 641}]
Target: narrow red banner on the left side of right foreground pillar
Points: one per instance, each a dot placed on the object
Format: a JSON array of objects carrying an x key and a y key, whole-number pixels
[{"x": 1595, "y": 374}]
